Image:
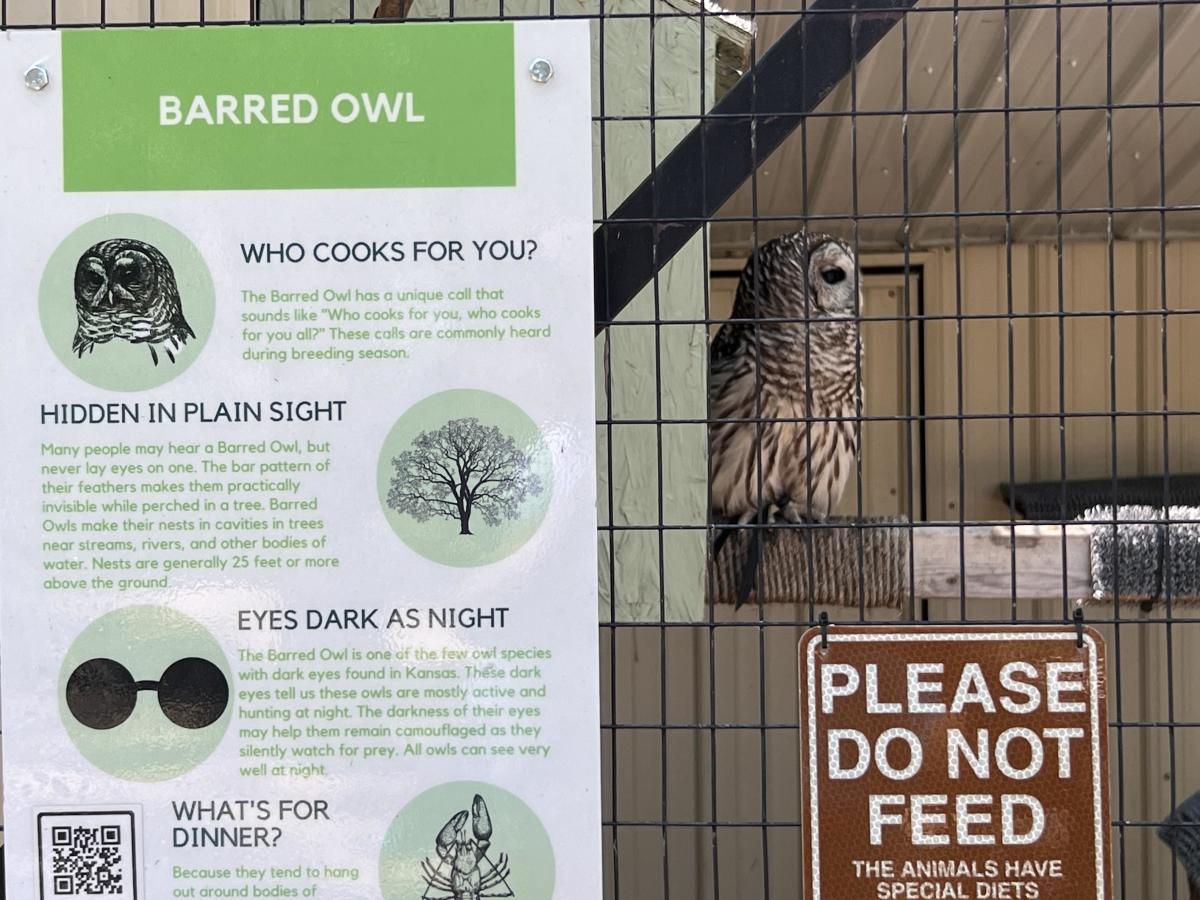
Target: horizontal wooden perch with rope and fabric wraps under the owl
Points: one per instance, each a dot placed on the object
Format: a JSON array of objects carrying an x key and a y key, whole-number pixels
[{"x": 889, "y": 563}]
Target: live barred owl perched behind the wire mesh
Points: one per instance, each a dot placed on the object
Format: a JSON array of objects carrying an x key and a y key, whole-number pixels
[{"x": 789, "y": 359}]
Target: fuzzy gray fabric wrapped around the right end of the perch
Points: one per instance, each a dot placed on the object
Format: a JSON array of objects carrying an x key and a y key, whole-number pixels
[{"x": 1144, "y": 557}]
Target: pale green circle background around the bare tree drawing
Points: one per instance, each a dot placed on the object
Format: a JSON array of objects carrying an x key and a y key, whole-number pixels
[{"x": 440, "y": 539}]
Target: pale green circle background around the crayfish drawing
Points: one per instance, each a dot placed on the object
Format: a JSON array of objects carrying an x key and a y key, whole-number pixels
[{"x": 517, "y": 832}]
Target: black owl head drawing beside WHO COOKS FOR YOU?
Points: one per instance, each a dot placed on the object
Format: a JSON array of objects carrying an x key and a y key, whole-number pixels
[{"x": 127, "y": 289}]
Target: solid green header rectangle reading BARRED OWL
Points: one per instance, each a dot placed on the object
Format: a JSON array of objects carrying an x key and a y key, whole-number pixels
[{"x": 290, "y": 107}]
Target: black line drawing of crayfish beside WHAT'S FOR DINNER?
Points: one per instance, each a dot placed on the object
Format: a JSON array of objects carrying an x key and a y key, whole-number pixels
[{"x": 464, "y": 871}]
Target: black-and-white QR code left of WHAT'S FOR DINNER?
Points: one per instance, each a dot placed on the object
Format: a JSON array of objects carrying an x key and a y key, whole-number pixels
[{"x": 88, "y": 855}]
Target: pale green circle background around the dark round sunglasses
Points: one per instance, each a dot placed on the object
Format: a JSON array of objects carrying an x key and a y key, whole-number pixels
[{"x": 147, "y": 747}]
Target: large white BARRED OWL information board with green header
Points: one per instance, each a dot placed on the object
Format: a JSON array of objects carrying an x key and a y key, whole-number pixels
[{"x": 299, "y": 557}]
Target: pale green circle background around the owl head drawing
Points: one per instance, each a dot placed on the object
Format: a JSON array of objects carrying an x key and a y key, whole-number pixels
[{"x": 119, "y": 365}]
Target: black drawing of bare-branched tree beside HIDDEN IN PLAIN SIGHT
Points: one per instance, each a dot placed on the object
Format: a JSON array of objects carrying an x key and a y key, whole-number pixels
[{"x": 460, "y": 470}]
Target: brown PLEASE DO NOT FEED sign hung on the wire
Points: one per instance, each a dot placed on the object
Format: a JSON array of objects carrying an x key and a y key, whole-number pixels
[{"x": 955, "y": 764}]
